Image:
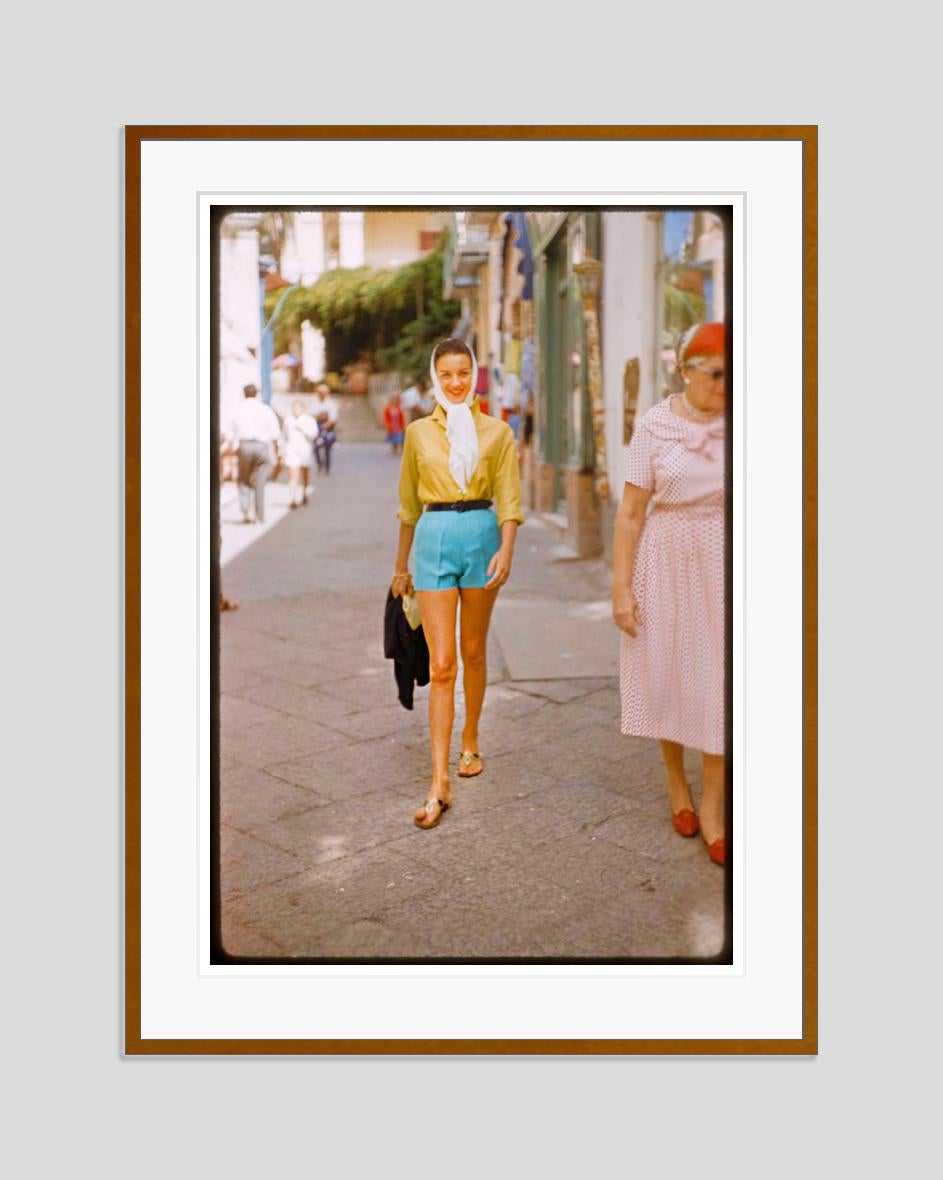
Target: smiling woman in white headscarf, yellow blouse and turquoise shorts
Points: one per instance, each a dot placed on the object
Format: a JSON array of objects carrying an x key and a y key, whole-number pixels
[{"x": 456, "y": 464}]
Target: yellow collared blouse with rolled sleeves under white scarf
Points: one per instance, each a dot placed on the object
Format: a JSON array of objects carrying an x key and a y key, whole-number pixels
[{"x": 425, "y": 477}]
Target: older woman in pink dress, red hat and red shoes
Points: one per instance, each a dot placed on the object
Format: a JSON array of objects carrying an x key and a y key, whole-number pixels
[{"x": 669, "y": 584}]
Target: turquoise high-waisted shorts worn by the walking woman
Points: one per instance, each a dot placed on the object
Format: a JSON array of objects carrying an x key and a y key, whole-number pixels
[{"x": 454, "y": 549}]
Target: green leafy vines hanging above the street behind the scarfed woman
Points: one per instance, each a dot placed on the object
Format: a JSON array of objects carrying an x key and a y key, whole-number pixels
[{"x": 397, "y": 314}]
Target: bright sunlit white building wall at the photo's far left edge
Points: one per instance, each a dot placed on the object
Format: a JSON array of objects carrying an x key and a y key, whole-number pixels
[{"x": 240, "y": 330}]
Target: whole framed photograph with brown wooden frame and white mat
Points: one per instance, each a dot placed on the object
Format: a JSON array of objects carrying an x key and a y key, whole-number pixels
[{"x": 471, "y": 591}]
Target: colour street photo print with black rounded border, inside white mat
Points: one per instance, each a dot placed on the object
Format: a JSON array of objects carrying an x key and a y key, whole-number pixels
[{"x": 565, "y": 829}]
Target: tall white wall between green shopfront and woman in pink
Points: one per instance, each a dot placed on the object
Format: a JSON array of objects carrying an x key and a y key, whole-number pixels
[{"x": 630, "y": 324}]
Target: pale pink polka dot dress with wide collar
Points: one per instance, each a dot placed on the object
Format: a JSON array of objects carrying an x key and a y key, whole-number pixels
[{"x": 672, "y": 673}]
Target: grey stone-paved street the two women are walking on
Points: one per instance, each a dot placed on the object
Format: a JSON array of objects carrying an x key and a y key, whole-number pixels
[{"x": 562, "y": 849}]
